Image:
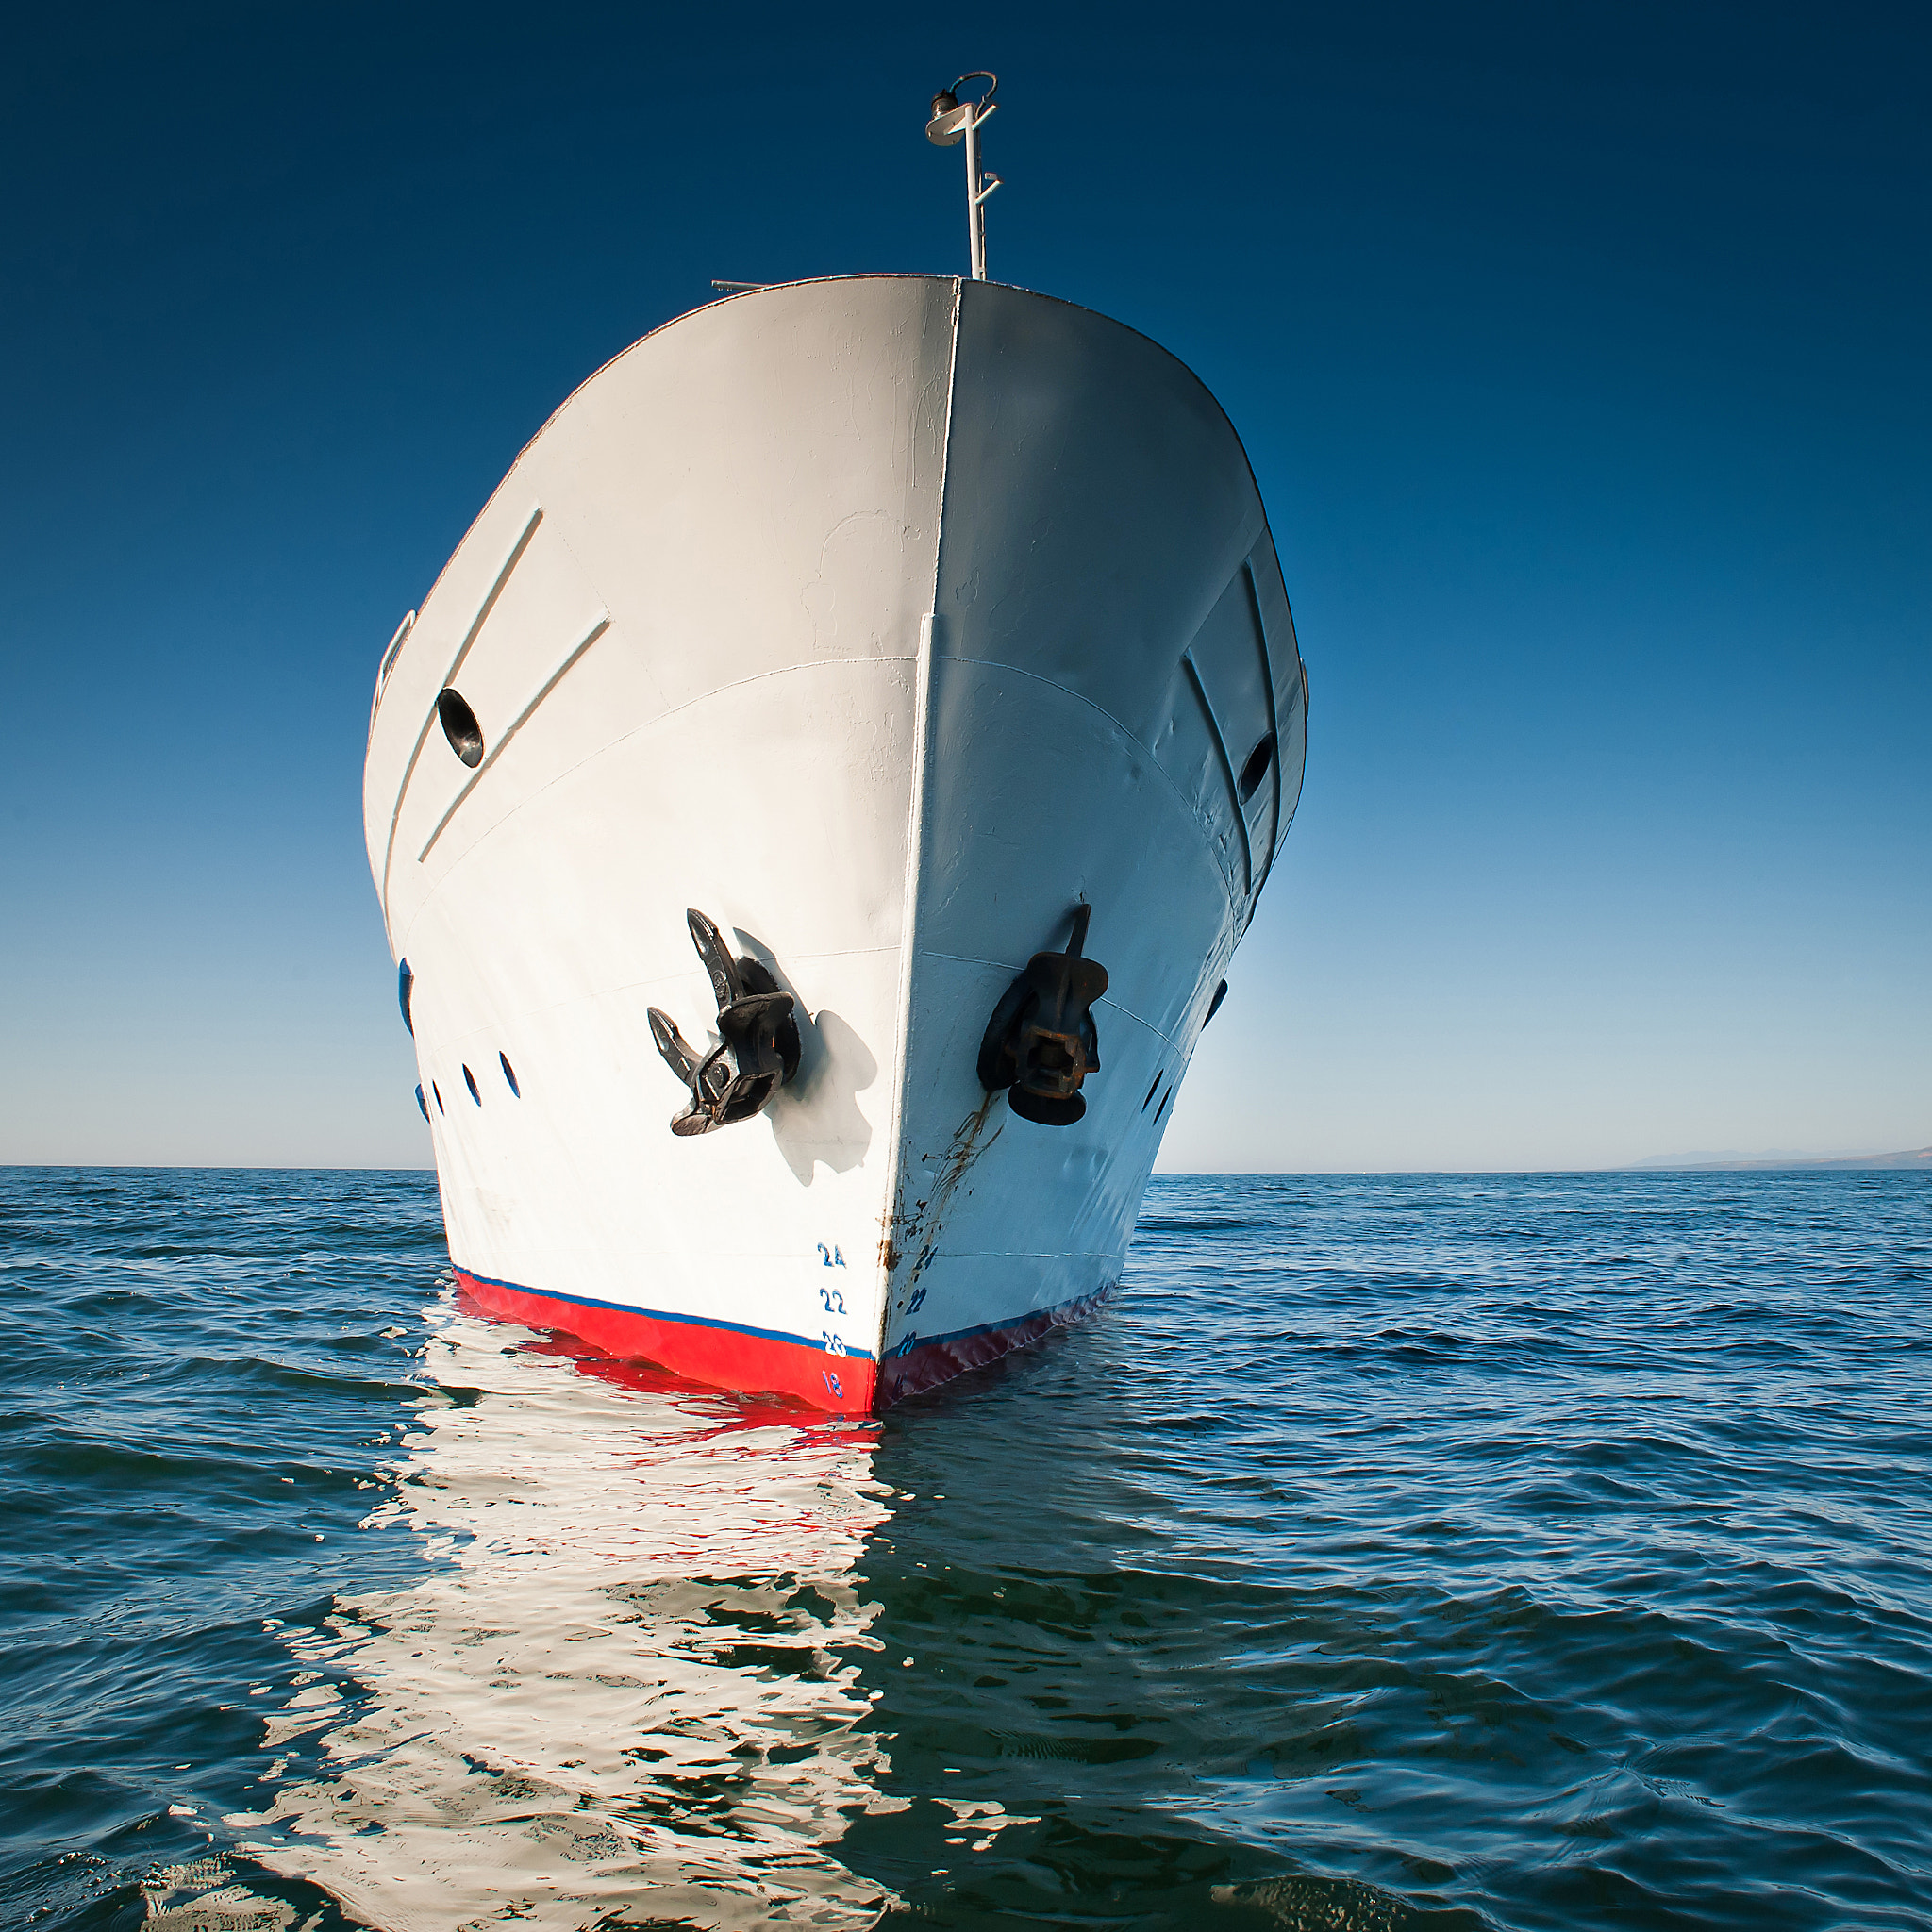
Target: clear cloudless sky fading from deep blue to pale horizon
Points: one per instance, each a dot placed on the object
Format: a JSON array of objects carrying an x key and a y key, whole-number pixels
[{"x": 1581, "y": 353}]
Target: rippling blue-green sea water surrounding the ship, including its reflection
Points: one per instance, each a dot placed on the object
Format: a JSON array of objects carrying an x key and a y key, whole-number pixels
[{"x": 1396, "y": 1552}]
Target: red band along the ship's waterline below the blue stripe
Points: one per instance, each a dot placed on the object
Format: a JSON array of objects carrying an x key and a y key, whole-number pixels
[{"x": 727, "y": 1355}]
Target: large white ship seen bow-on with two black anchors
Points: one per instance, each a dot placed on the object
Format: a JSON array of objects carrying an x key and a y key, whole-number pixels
[{"x": 814, "y": 812}]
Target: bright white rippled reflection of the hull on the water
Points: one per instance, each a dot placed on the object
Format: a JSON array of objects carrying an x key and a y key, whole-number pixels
[{"x": 629, "y": 1684}]
